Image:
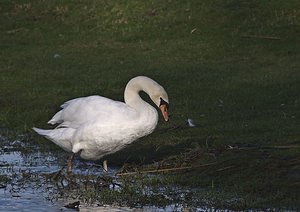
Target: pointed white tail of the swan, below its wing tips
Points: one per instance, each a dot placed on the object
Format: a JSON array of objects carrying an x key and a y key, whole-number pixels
[{"x": 61, "y": 137}]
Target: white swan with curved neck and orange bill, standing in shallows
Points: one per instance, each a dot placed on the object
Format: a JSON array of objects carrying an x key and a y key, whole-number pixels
[{"x": 96, "y": 126}]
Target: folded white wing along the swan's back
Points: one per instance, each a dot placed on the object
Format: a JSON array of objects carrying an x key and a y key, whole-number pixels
[{"x": 82, "y": 110}]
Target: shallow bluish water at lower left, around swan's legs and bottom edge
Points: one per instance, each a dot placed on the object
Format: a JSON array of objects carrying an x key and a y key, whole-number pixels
[{"x": 24, "y": 185}]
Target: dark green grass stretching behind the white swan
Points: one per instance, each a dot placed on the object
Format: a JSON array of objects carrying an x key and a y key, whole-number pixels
[{"x": 231, "y": 66}]
